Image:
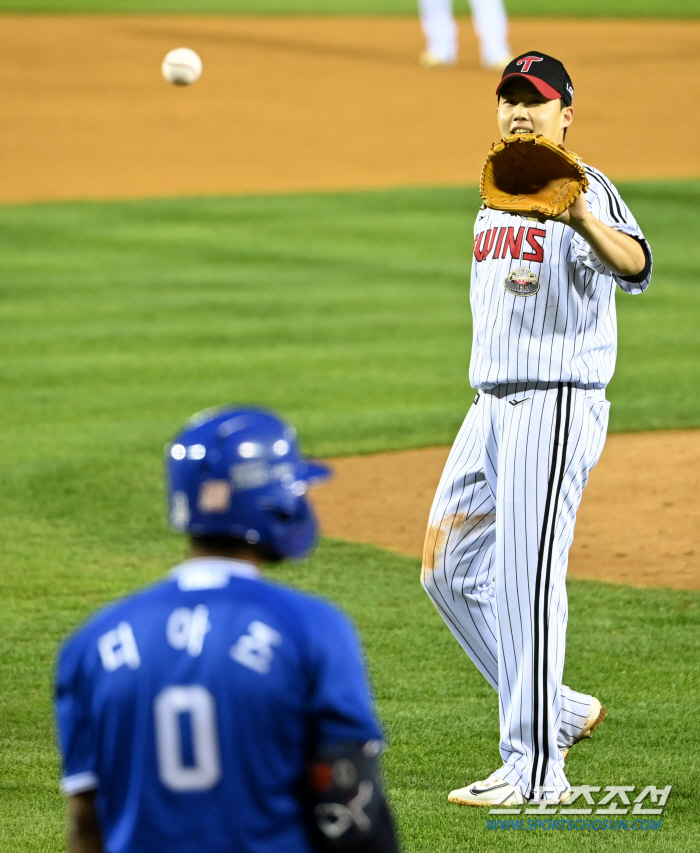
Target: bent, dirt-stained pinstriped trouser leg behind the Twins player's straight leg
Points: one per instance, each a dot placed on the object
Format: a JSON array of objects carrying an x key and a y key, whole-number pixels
[{"x": 458, "y": 564}]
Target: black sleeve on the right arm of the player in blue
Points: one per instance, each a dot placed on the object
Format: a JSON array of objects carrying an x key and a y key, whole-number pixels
[{"x": 349, "y": 812}]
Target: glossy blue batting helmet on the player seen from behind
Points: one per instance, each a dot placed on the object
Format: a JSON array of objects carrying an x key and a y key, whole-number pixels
[{"x": 239, "y": 473}]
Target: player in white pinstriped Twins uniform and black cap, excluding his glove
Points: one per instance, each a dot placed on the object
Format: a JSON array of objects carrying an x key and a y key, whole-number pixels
[{"x": 502, "y": 522}]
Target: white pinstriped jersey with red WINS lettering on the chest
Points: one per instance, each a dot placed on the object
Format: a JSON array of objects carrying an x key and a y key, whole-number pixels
[{"x": 567, "y": 330}]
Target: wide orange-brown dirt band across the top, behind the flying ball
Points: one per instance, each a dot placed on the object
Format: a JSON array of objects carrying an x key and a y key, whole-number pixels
[{"x": 299, "y": 103}]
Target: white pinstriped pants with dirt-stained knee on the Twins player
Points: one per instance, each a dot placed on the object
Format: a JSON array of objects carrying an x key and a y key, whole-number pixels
[{"x": 496, "y": 554}]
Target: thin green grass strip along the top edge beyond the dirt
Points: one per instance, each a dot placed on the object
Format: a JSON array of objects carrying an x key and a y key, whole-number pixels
[{"x": 530, "y": 8}]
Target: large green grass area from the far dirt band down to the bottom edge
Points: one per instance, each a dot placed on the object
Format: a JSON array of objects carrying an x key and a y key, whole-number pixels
[{"x": 348, "y": 312}]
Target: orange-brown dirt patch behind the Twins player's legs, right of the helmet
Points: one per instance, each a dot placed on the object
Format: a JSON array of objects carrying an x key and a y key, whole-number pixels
[{"x": 639, "y": 521}]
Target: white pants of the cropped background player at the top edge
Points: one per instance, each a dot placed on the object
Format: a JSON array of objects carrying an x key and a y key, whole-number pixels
[{"x": 490, "y": 24}]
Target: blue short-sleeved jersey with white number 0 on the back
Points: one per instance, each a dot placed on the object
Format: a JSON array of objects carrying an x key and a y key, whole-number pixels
[{"x": 193, "y": 707}]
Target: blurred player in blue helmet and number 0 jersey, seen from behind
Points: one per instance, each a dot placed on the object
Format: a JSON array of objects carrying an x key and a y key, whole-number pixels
[{"x": 216, "y": 712}]
